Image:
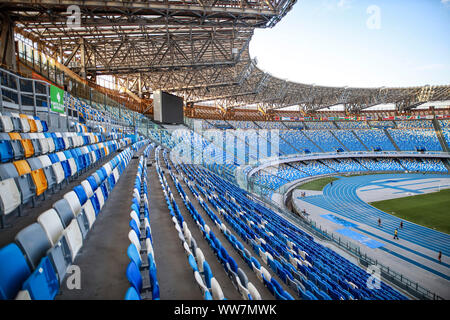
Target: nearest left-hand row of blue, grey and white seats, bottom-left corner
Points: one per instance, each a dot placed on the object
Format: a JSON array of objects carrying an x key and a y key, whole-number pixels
[{"x": 35, "y": 264}]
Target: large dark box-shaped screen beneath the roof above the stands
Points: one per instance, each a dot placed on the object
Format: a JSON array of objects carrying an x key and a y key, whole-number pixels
[{"x": 167, "y": 108}]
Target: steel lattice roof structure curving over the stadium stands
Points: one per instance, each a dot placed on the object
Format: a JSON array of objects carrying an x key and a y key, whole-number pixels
[{"x": 198, "y": 49}]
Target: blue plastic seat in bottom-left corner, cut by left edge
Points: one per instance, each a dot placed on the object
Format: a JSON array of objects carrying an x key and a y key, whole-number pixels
[{"x": 14, "y": 271}]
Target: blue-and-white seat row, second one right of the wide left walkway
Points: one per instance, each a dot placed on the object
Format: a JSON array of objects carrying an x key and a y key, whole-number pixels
[{"x": 202, "y": 273}]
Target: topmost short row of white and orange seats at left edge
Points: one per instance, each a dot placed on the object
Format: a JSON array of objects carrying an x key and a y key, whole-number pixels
[{"x": 16, "y": 122}]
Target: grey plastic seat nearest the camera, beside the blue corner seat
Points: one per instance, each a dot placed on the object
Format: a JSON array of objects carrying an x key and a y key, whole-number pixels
[{"x": 34, "y": 243}]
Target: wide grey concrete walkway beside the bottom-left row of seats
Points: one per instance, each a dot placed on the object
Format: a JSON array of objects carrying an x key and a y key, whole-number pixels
[{"x": 103, "y": 258}]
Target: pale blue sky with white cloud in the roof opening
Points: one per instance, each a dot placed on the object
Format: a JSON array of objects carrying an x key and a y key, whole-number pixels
[{"x": 359, "y": 43}]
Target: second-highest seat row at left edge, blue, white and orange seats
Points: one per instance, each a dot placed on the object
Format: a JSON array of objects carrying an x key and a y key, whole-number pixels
[{"x": 15, "y": 146}]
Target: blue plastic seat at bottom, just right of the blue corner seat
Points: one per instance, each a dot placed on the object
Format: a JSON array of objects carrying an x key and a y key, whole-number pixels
[{"x": 43, "y": 283}]
